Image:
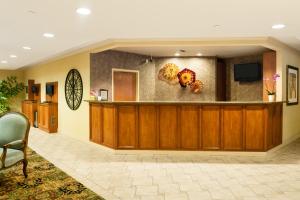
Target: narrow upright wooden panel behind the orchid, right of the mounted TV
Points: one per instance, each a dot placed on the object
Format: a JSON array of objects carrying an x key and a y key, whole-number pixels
[{"x": 269, "y": 69}]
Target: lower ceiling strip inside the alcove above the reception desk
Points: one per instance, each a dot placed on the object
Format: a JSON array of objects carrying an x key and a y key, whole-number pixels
[{"x": 216, "y": 51}]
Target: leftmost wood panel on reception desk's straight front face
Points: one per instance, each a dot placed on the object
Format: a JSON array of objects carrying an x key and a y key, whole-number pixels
[{"x": 127, "y": 126}]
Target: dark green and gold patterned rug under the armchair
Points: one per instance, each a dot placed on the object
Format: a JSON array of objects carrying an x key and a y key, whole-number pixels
[{"x": 45, "y": 181}]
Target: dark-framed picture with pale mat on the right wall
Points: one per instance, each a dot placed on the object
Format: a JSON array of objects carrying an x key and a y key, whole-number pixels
[{"x": 292, "y": 85}]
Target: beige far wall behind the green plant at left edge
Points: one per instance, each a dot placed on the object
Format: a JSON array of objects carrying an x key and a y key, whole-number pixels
[{"x": 15, "y": 102}]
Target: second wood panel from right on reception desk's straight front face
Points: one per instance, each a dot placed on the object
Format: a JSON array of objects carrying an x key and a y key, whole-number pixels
[{"x": 232, "y": 123}]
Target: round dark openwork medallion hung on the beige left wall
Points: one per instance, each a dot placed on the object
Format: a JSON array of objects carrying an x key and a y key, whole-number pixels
[{"x": 73, "y": 89}]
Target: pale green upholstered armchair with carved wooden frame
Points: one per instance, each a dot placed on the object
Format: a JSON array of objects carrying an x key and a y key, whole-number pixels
[{"x": 14, "y": 130}]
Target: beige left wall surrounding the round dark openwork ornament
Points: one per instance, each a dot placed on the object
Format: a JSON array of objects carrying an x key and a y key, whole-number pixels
[{"x": 73, "y": 123}]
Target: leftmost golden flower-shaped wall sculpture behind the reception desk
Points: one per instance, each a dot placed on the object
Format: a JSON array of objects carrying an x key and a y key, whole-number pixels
[{"x": 168, "y": 73}]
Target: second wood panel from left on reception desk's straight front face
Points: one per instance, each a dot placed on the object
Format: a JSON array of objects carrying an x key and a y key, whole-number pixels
[{"x": 148, "y": 127}]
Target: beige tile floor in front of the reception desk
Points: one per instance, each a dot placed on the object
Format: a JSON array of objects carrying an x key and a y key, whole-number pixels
[{"x": 159, "y": 175}]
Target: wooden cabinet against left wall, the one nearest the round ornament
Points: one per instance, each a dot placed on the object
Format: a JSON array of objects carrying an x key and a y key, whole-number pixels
[{"x": 48, "y": 117}]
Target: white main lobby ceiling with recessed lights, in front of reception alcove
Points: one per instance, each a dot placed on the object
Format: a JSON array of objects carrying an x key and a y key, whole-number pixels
[{"x": 24, "y": 22}]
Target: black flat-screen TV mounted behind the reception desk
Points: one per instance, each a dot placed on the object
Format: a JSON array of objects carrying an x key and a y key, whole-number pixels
[{"x": 247, "y": 72}]
